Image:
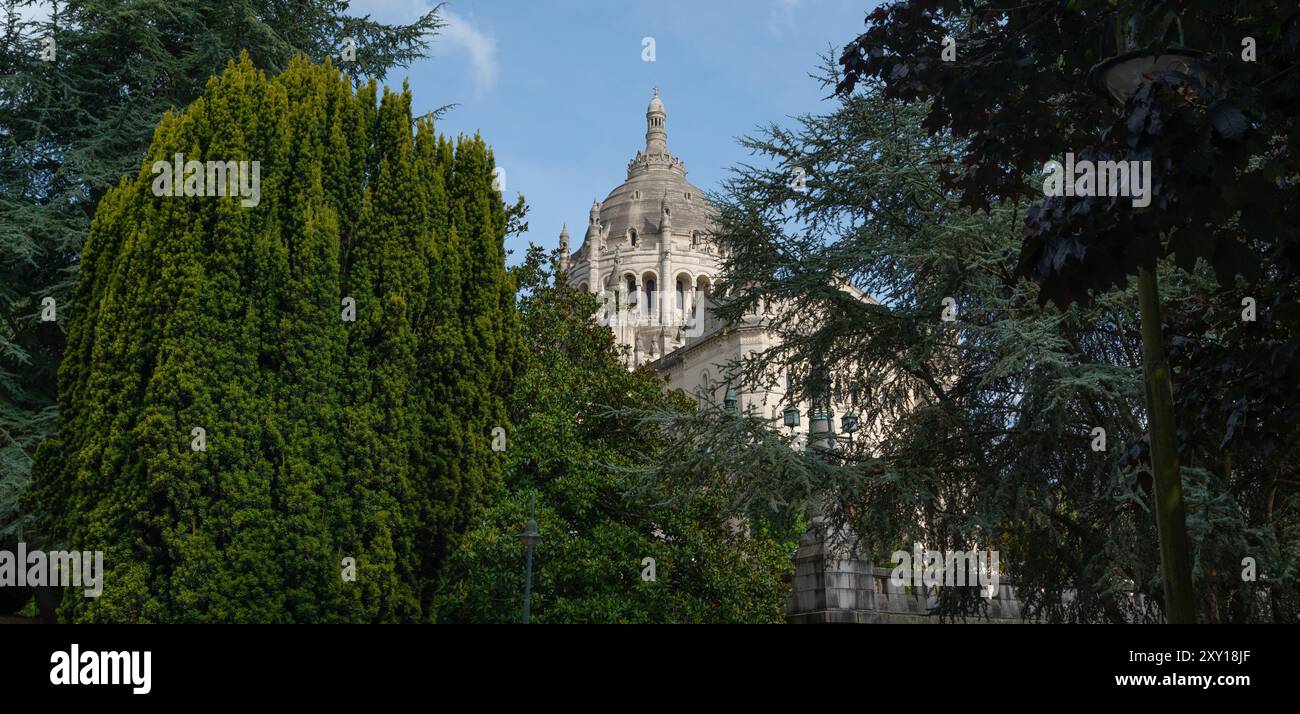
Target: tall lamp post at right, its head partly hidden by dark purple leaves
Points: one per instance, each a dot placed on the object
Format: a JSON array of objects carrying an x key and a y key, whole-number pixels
[{"x": 1119, "y": 79}]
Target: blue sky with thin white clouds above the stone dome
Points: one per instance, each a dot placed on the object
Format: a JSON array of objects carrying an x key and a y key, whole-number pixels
[{"x": 560, "y": 89}]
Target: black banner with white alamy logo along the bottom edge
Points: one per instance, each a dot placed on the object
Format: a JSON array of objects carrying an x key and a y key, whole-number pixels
[{"x": 946, "y": 664}]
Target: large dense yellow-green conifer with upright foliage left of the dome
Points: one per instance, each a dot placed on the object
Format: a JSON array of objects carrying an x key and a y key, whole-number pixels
[{"x": 331, "y": 443}]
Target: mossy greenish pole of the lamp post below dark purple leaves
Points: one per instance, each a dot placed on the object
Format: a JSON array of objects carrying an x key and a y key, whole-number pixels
[{"x": 1171, "y": 521}]
